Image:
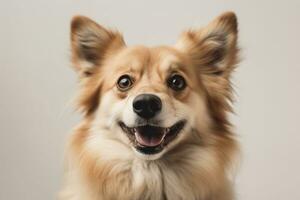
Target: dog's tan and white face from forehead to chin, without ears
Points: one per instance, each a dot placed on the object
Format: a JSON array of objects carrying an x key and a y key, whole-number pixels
[{"x": 149, "y": 96}]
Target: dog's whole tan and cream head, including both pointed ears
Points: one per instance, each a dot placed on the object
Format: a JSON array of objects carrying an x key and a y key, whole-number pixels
[{"x": 152, "y": 100}]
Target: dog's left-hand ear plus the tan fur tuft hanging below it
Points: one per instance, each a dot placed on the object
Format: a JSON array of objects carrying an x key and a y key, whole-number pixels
[{"x": 91, "y": 44}]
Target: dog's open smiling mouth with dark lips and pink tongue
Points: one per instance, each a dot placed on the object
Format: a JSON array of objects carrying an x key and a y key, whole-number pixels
[{"x": 149, "y": 139}]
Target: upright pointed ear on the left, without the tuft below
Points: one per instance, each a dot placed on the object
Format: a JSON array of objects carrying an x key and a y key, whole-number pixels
[{"x": 91, "y": 43}]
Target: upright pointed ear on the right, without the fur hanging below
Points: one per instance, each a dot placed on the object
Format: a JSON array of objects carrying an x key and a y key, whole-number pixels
[{"x": 213, "y": 48}]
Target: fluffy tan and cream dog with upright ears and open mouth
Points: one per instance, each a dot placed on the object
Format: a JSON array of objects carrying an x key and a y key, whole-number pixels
[{"x": 155, "y": 119}]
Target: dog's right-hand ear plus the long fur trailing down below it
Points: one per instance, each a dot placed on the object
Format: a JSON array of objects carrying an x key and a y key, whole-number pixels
[{"x": 214, "y": 52}]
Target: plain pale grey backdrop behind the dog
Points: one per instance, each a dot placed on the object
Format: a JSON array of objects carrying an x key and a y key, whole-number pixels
[{"x": 37, "y": 84}]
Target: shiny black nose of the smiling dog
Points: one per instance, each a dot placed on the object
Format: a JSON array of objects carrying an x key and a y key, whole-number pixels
[{"x": 147, "y": 105}]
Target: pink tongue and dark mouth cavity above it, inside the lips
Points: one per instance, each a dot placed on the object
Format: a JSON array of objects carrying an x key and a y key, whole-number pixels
[{"x": 149, "y": 136}]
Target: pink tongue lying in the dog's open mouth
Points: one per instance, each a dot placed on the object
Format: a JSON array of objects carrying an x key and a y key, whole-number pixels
[{"x": 149, "y": 140}]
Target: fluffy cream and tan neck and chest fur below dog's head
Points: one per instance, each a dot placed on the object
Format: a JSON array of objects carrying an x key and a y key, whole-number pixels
[{"x": 185, "y": 173}]
